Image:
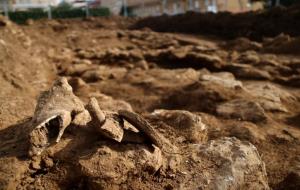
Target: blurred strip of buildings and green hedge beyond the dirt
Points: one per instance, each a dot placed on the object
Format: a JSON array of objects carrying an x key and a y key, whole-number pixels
[{"x": 140, "y": 8}]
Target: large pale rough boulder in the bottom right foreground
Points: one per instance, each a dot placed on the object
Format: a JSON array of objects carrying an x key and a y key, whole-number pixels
[{"x": 239, "y": 165}]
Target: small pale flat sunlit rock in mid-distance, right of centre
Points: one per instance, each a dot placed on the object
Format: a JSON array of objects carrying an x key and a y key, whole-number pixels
[{"x": 225, "y": 79}]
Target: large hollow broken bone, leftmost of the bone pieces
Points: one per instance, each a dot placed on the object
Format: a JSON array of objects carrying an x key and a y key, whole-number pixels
[{"x": 53, "y": 114}]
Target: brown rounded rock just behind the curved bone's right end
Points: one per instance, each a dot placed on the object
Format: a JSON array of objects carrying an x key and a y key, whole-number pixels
[{"x": 186, "y": 124}]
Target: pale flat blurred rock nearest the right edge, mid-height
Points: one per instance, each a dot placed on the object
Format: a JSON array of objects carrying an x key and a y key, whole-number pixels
[{"x": 269, "y": 96}]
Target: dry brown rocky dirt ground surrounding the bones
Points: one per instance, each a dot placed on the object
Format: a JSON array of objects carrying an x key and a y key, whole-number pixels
[{"x": 231, "y": 108}]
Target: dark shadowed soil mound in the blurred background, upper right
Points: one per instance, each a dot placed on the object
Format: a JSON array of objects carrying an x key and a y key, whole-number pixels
[{"x": 254, "y": 25}]
